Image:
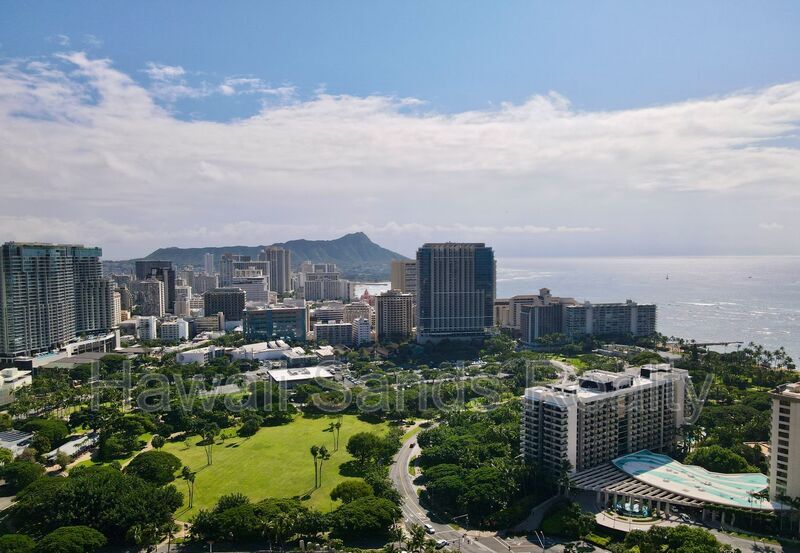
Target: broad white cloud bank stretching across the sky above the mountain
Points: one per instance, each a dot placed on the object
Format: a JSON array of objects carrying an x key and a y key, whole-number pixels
[{"x": 89, "y": 147}]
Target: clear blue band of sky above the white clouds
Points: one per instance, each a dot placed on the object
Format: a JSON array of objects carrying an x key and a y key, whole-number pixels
[{"x": 456, "y": 55}]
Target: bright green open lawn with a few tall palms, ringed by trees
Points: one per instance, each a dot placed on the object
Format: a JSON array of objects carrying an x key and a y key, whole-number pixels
[{"x": 275, "y": 462}]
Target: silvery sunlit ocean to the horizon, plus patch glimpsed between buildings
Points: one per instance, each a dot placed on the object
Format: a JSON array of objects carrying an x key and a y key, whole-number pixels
[{"x": 709, "y": 299}]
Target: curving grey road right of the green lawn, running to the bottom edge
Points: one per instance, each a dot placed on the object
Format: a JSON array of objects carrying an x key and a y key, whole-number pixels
[{"x": 467, "y": 542}]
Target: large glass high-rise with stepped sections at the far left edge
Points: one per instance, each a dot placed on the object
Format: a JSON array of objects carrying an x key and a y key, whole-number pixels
[{"x": 50, "y": 293}]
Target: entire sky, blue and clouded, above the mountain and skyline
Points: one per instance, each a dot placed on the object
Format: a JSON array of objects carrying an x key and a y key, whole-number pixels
[{"x": 541, "y": 128}]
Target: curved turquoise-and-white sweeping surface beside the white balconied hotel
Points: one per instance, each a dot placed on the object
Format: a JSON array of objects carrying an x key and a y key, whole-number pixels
[{"x": 696, "y": 482}]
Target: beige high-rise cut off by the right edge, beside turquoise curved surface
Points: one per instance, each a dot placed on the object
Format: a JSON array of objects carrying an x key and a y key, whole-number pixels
[{"x": 784, "y": 470}]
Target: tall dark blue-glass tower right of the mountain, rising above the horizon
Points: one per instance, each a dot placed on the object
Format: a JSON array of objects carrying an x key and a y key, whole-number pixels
[{"x": 455, "y": 291}]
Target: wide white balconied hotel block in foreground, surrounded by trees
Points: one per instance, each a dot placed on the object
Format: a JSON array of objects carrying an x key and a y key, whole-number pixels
[{"x": 603, "y": 416}]
